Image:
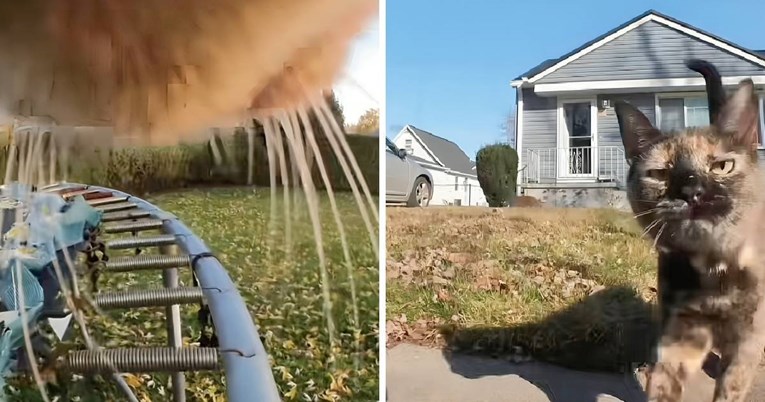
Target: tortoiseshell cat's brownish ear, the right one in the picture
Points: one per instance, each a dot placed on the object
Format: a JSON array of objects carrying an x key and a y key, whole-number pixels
[{"x": 740, "y": 116}]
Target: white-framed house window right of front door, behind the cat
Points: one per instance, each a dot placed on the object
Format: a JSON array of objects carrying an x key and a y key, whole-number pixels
[{"x": 677, "y": 113}]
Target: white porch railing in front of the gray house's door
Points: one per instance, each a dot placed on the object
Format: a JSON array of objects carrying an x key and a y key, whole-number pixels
[{"x": 605, "y": 164}]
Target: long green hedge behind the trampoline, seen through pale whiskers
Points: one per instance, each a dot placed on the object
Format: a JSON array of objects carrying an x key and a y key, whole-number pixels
[{"x": 151, "y": 169}]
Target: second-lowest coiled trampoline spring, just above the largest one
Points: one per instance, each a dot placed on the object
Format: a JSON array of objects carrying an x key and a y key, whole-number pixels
[{"x": 149, "y": 298}]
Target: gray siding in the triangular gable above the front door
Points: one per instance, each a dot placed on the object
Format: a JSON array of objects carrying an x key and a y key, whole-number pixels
[{"x": 650, "y": 51}]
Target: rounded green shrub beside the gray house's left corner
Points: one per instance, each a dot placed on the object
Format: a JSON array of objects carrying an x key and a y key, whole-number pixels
[{"x": 497, "y": 168}]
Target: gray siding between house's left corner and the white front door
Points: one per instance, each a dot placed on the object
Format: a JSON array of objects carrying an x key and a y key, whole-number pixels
[{"x": 540, "y": 127}]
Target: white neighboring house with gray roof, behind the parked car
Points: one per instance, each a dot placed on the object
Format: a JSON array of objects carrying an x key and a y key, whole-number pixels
[{"x": 454, "y": 176}]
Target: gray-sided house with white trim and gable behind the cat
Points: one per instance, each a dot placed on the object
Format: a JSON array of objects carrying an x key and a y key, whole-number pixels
[{"x": 567, "y": 135}]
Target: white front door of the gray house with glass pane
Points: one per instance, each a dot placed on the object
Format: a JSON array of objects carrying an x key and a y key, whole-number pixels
[{"x": 577, "y": 154}]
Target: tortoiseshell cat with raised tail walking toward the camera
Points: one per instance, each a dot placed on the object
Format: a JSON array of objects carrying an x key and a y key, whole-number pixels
[{"x": 700, "y": 194}]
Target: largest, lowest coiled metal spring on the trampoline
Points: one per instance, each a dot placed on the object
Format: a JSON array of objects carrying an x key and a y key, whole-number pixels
[{"x": 155, "y": 359}]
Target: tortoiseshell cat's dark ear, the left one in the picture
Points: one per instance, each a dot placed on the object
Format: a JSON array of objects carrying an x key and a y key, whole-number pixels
[{"x": 636, "y": 130}]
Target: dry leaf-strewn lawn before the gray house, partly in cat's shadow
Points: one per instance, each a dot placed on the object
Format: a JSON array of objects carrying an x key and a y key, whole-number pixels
[{"x": 546, "y": 279}]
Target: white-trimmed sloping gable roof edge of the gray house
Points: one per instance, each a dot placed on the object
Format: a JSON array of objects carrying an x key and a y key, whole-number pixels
[{"x": 756, "y": 56}]
